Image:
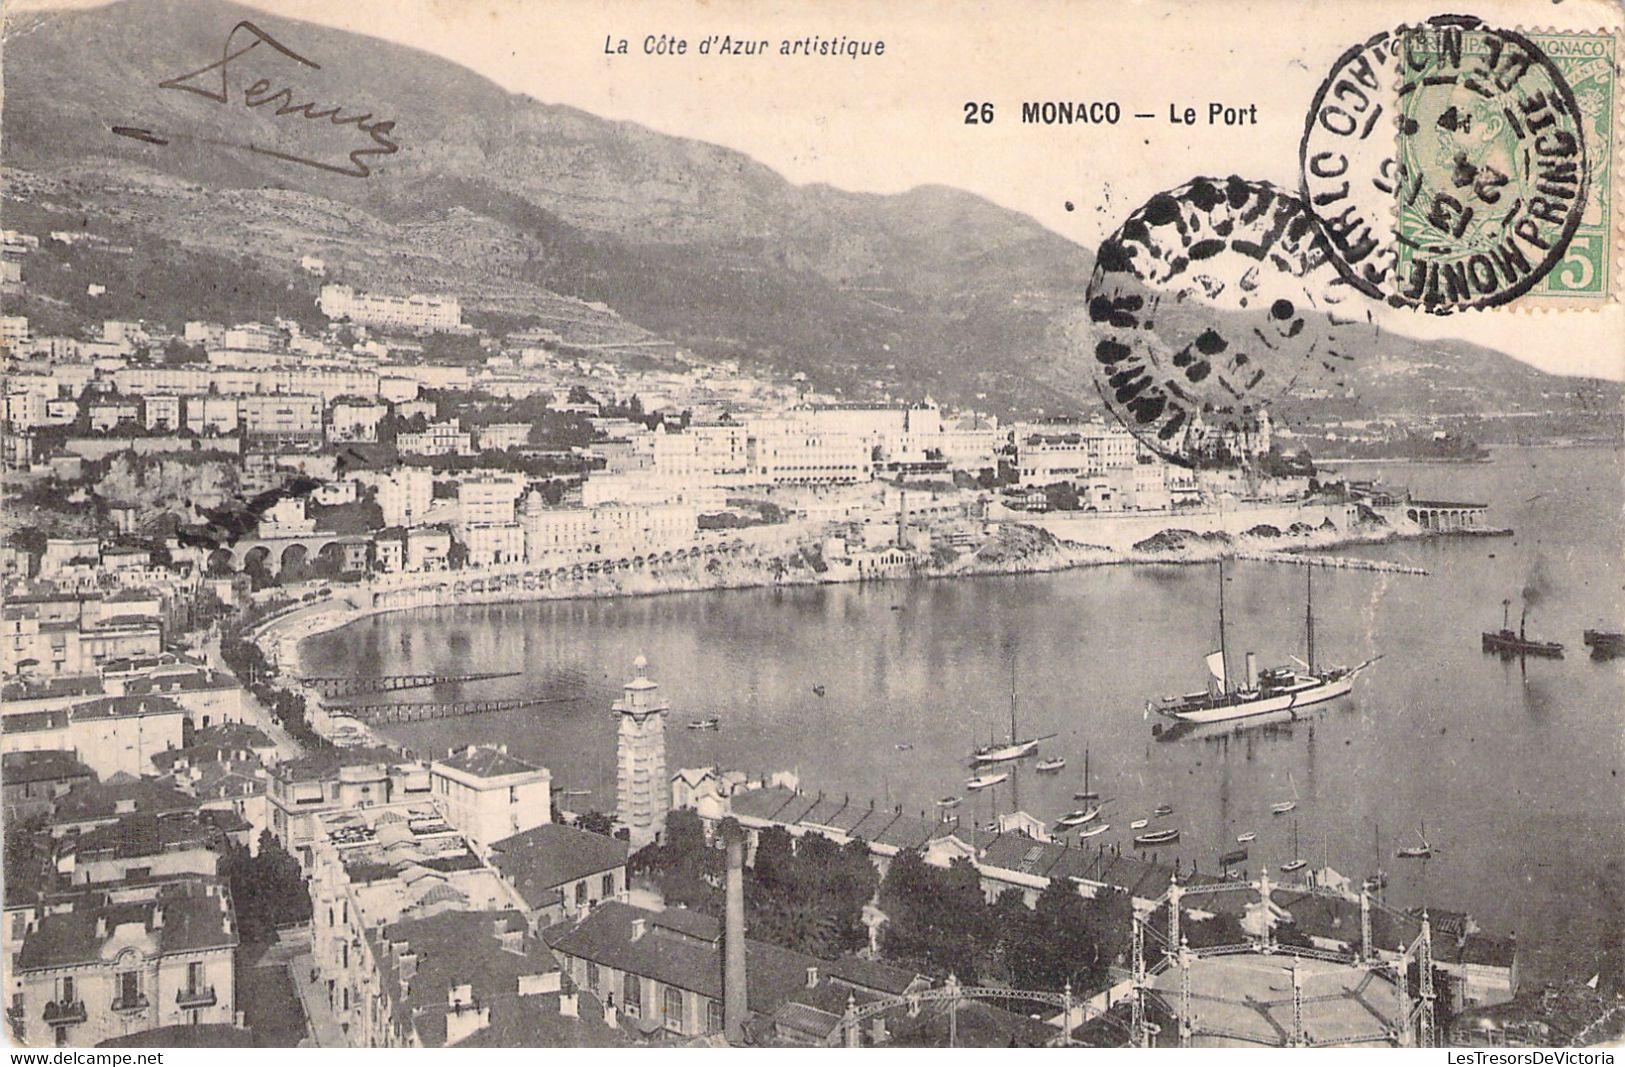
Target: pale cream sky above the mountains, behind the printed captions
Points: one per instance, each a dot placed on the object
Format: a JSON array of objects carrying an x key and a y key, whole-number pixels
[{"x": 895, "y": 123}]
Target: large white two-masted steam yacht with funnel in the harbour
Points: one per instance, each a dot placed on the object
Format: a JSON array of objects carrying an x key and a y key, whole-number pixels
[{"x": 1260, "y": 693}]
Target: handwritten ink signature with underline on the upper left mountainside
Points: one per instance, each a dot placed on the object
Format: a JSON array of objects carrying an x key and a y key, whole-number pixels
[{"x": 264, "y": 93}]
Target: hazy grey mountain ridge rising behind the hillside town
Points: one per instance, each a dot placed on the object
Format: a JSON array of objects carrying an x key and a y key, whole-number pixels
[{"x": 927, "y": 292}]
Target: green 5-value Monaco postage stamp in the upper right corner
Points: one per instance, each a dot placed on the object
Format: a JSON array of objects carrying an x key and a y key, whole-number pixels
[{"x": 1506, "y": 166}]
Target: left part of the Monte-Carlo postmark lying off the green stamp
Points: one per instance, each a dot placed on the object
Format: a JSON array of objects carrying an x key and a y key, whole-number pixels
[{"x": 1346, "y": 163}]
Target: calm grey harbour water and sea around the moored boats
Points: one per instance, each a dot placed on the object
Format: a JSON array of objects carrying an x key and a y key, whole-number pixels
[{"x": 878, "y": 693}]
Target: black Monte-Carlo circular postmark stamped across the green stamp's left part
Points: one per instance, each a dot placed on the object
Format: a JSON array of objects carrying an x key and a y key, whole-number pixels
[{"x": 1484, "y": 183}]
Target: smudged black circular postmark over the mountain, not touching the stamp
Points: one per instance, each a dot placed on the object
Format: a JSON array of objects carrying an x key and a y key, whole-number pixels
[{"x": 1210, "y": 305}]
